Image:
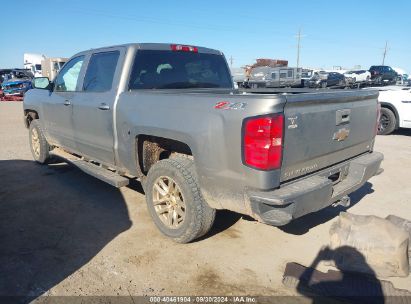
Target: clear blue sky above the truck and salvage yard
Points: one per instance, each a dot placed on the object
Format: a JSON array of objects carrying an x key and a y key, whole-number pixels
[{"x": 336, "y": 33}]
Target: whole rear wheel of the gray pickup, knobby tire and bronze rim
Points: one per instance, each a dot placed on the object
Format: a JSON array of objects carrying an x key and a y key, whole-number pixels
[{"x": 175, "y": 202}]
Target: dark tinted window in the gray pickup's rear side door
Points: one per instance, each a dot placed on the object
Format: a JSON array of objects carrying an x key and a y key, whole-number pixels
[{"x": 100, "y": 72}]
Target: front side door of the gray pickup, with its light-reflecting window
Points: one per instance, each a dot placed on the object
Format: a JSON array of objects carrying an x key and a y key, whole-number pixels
[{"x": 58, "y": 110}]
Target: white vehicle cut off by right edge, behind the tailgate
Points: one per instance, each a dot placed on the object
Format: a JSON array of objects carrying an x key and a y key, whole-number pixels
[{"x": 395, "y": 109}]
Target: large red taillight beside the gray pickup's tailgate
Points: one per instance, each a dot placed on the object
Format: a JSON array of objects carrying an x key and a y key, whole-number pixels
[{"x": 262, "y": 142}]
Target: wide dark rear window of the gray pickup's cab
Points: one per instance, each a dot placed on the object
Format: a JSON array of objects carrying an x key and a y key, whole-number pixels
[{"x": 179, "y": 70}]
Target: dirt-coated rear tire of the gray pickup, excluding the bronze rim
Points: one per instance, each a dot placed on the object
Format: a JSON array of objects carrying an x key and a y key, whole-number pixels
[{"x": 199, "y": 217}]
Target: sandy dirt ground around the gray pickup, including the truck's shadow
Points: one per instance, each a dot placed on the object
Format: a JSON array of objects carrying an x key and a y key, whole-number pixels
[{"x": 63, "y": 232}]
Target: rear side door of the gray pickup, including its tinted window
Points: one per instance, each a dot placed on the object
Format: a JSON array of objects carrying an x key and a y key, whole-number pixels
[{"x": 93, "y": 107}]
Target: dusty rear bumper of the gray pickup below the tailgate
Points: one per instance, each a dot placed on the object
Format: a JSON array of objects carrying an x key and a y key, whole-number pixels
[{"x": 313, "y": 193}]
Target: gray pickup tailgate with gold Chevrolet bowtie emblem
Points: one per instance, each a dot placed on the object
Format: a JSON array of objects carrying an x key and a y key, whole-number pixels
[{"x": 324, "y": 129}]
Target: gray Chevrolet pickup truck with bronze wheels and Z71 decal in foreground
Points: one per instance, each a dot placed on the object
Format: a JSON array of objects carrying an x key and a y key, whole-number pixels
[{"x": 169, "y": 116}]
